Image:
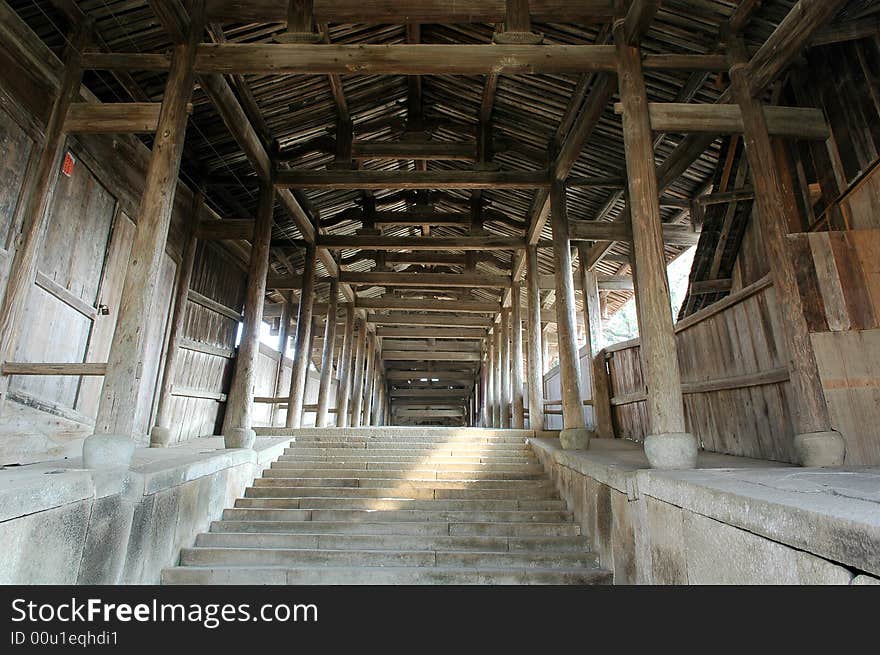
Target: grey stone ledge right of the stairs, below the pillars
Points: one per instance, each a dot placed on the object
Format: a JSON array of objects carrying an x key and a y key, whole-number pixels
[{"x": 831, "y": 513}]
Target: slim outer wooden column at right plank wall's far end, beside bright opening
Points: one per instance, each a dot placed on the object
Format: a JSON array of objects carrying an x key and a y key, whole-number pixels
[{"x": 593, "y": 329}]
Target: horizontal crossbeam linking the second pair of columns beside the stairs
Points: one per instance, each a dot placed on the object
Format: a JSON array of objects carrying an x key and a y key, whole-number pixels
[{"x": 453, "y": 179}]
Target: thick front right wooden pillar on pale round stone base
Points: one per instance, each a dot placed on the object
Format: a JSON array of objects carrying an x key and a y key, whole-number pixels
[{"x": 669, "y": 445}]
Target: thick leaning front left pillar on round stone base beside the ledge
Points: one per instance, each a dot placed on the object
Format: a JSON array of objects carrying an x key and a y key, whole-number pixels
[{"x": 112, "y": 445}]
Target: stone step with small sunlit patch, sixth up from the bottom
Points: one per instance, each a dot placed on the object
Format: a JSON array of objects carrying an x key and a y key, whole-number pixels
[{"x": 399, "y": 503}]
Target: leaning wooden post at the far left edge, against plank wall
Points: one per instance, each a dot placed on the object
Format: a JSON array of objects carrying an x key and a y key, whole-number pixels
[{"x": 27, "y": 245}]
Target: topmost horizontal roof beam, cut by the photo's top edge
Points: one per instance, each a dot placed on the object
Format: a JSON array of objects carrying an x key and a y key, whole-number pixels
[{"x": 402, "y": 12}]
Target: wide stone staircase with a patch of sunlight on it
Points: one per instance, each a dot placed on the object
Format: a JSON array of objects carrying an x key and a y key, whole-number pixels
[{"x": 396, "y": 506}]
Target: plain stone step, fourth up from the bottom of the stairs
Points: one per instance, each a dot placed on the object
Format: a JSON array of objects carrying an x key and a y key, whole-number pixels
[{"x": 432, "y": 528}]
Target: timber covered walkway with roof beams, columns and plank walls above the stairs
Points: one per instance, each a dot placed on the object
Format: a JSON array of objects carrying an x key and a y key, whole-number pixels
[{"x": 427, "y": 202}]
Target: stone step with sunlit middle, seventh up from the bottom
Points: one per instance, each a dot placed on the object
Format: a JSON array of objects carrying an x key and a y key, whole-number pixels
[{"x": 415, "y": 493}]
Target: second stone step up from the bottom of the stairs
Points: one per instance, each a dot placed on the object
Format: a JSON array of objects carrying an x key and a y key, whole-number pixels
[{"x": 330, "y": 557}]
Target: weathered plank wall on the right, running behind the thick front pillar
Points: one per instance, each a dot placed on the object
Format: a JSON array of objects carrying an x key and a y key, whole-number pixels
[{"x": 734, "y": 381}]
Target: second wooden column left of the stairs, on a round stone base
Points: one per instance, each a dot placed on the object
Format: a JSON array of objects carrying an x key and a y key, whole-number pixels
[{"x": 237, "y": 431}]
